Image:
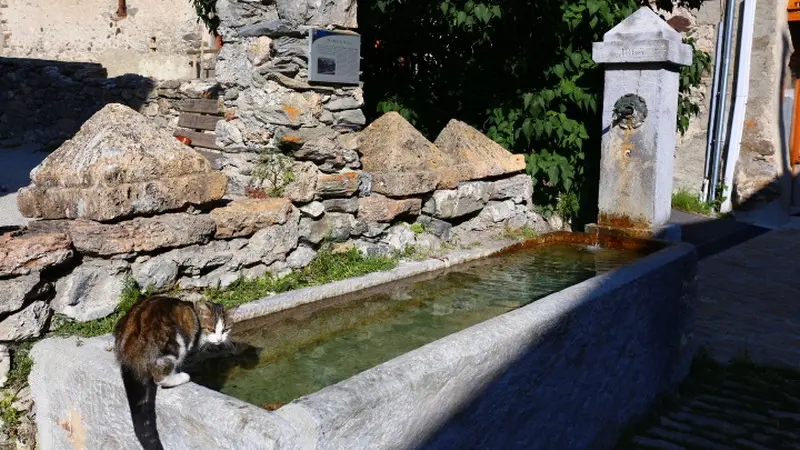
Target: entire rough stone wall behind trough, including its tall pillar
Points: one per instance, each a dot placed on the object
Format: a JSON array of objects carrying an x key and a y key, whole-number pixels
[{"x": 123, "y": 198}]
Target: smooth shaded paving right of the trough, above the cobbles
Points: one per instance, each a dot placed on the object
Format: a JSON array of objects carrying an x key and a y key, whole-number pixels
[{"x": 749, "y": 300}]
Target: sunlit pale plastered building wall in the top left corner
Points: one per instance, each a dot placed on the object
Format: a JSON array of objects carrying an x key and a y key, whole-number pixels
[{"x": 154, "y": 40}]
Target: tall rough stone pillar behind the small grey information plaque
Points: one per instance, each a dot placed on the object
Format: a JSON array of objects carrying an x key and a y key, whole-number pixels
[{"x": 271, "y": 106}]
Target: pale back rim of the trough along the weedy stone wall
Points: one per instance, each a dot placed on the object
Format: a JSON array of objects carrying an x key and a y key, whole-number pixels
[{"x": 292, "y": 299}]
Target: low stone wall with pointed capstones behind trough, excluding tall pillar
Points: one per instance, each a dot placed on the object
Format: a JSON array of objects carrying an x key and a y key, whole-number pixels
[{"x": 124, "y": 198}]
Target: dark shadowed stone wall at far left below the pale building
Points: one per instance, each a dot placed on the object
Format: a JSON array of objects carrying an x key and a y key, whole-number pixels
[{"x": 44, "y": 102}]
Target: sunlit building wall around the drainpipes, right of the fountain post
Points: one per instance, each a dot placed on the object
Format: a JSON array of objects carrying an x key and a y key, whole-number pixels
[{"x": 761, "y": 161}]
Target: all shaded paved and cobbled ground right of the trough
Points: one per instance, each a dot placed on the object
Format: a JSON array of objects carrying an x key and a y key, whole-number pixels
[{"x": 744, "y": 389}]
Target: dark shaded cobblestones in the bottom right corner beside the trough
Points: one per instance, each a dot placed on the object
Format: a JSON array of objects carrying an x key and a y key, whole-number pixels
[{"x": 738, "y": 406}]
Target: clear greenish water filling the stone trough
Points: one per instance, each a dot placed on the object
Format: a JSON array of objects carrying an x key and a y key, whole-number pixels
[{"x": 296, "y": 353}]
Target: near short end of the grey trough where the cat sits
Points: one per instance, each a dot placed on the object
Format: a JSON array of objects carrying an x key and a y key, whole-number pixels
[{"x": 80, "y": 403}]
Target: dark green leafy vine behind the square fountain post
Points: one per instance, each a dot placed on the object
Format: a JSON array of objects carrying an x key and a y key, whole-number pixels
[{"x": 521, "y": 71}]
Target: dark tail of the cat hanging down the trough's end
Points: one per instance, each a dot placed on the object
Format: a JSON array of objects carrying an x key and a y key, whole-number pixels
[{"x": 142, "y": 401}]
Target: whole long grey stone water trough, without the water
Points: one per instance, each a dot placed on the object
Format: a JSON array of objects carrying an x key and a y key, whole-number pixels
[{"x": 568, "y": 371}]
